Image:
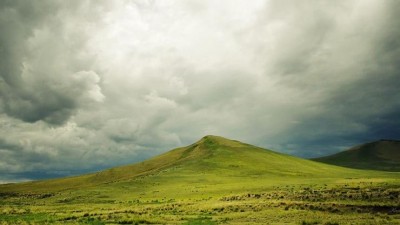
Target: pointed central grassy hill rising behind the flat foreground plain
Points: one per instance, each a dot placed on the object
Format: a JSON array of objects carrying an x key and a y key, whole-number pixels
[{"x": 211, "y": 160}]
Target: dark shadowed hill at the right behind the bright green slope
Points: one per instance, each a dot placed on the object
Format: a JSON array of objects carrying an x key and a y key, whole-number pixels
[{"x": 378, "y": 155}]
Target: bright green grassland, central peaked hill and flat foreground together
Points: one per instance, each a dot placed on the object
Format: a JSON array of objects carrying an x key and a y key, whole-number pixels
[{"x": 213, "y": 181}]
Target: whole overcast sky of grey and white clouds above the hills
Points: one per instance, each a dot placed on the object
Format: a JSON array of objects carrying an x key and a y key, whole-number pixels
[{"x": 87, "y": 85}]
